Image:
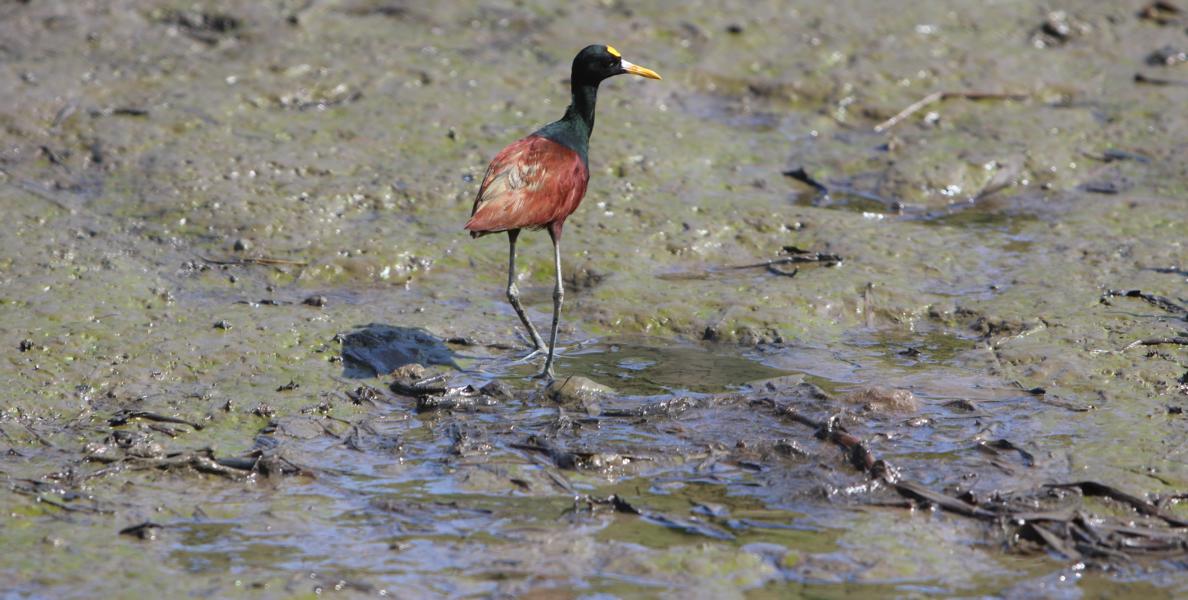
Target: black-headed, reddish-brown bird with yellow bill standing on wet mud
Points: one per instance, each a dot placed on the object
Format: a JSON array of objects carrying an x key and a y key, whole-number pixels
[{"x": 539, "y": 181}]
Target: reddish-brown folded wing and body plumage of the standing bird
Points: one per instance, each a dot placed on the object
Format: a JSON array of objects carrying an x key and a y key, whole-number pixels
[{"x": 532, "y": 184}]
